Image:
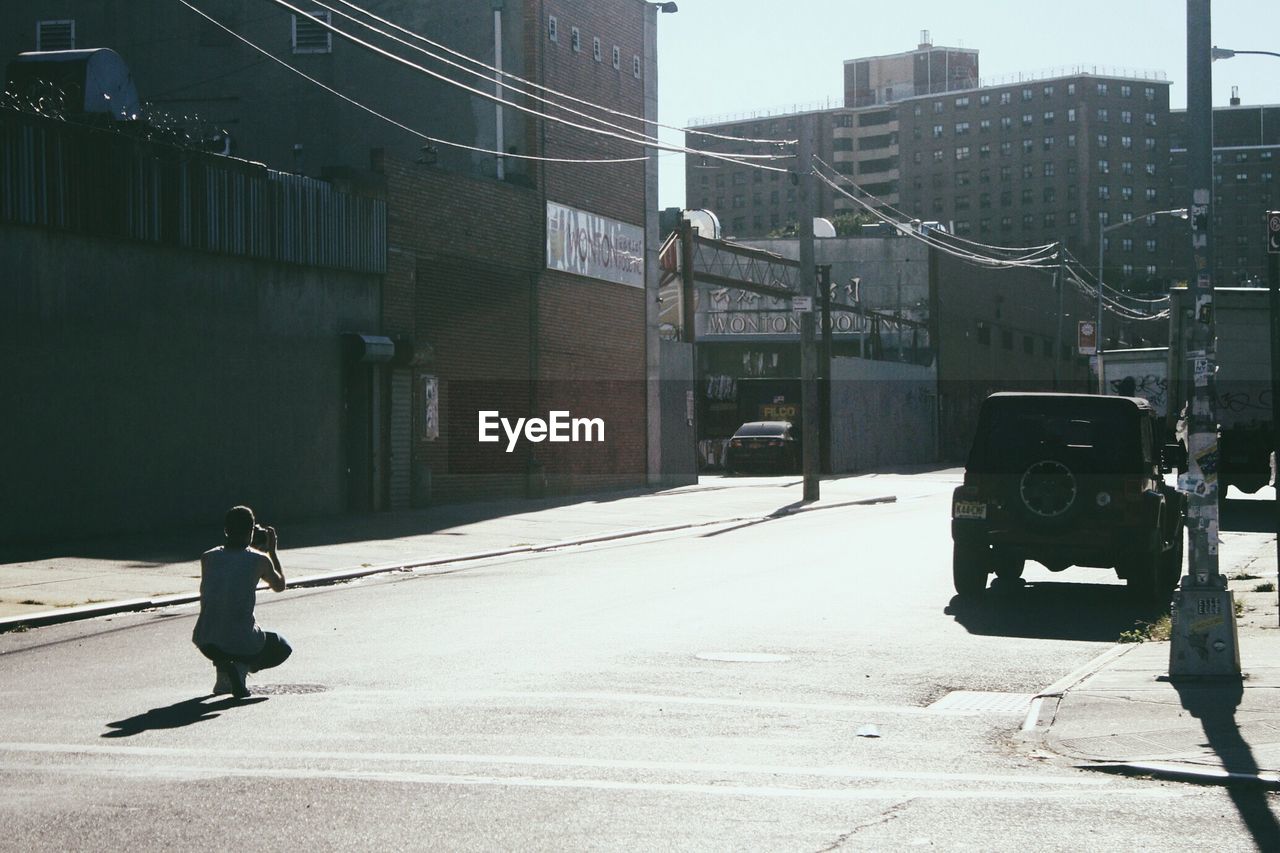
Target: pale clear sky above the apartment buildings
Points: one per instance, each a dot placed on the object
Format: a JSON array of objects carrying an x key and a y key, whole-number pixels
[{"x": 720, "y": 58}]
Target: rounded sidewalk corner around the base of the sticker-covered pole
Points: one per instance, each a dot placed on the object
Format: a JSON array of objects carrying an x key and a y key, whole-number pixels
[{"x": 1128, "y": 717}]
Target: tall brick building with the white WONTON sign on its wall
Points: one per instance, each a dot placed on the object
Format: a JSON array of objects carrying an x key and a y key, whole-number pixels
[{"x": 486, "y": 312}]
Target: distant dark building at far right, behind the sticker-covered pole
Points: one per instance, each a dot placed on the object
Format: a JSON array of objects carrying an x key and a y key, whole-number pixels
[{"x": 1246, "y": 165}]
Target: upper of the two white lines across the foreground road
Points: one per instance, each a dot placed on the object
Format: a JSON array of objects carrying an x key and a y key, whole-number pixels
[{"x": 551, "y": 761}]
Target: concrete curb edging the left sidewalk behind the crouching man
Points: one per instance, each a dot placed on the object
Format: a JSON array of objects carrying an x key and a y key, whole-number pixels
[{"x": 134, "y": 605}]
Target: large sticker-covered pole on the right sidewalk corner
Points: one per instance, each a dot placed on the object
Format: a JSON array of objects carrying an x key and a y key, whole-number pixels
[{"x": 1204, "y": 640}]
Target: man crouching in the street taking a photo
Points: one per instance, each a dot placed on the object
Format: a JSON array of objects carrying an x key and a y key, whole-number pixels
[{"x": 226, "y": 632}]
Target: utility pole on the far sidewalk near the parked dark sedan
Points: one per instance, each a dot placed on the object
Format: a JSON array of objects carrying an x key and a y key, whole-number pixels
[{"x": 808, "y": 345}]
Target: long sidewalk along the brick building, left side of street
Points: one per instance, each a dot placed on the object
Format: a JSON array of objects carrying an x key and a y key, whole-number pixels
[{"x": 47, "y": 585}]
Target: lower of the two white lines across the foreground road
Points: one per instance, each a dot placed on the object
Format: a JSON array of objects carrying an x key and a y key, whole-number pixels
[{"x": 205, "y": 773}]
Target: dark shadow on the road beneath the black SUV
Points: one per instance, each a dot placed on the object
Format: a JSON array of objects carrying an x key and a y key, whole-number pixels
[{"x": 1048, "y": 610}]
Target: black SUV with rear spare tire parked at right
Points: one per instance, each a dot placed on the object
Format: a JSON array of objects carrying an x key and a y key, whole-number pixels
[{"x": 1068, "y": 481}]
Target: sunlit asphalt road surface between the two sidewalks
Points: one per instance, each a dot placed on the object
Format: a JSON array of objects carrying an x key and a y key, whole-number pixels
[{"x": 783, "y": 686}]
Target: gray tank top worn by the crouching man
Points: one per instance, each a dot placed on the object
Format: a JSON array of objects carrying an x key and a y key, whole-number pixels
[{"x": 228, "y": 581}]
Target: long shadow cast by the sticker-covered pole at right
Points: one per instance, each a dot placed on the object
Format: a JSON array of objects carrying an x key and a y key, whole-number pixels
[{"x": 1214, "y": 703}]
